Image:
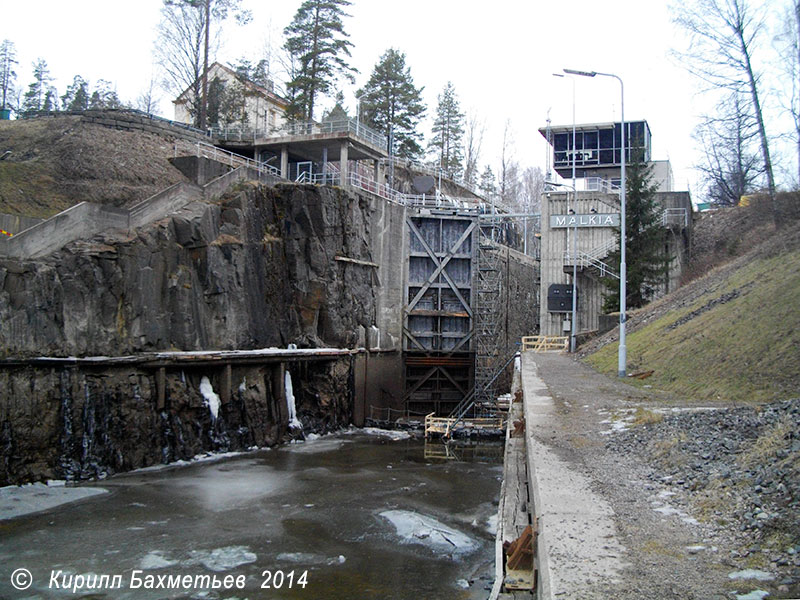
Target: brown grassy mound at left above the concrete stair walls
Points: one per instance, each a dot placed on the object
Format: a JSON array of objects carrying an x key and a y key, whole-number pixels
[{"x": 51, "y": 164}]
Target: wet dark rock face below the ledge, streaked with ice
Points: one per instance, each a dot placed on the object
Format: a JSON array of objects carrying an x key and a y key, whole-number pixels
[{"x": 71, "y": 423}]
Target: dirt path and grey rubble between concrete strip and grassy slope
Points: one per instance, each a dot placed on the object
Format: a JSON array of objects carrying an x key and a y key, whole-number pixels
[{"x": 705, "y": 500}]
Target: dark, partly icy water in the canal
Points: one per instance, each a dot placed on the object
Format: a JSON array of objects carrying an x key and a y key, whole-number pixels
[{"x": 345, "y": 516}]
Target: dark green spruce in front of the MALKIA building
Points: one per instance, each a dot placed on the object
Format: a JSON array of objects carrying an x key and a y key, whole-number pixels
[{"x": 647, "y": 261}]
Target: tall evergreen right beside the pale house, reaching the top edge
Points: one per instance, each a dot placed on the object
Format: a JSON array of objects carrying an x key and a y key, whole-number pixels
[{"x": 317, "y": 44}]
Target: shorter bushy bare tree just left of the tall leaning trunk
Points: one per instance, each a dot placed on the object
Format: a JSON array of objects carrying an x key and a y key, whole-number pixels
[{"x": 729, "y": 140}]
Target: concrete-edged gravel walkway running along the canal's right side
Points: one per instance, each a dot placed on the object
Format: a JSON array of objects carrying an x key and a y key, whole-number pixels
[{"x": 600, "y": 536}]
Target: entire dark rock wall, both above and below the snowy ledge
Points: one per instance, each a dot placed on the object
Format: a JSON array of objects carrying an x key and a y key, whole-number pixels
[{"x": 254, "y": 269}]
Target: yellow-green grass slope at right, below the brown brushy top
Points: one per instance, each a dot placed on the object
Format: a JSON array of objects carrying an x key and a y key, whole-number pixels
[{"x": 744, "y": 349}]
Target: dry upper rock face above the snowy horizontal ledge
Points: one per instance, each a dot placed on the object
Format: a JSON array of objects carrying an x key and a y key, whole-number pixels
[{"x": 255, "y": 269}]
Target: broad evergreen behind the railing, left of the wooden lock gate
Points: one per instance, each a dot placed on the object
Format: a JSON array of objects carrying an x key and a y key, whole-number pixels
[{"x": 391, "y": 102}]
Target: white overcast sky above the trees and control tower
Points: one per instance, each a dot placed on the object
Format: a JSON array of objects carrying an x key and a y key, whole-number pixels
[{"x": 500, "y": 56}]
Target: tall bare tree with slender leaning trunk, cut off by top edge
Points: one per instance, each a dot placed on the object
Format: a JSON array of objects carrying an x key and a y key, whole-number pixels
[{"x": 724, "y": 34}]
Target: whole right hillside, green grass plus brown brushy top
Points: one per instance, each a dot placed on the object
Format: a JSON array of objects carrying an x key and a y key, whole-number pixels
[{"x": 733, "y": 333}]
